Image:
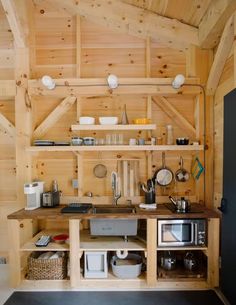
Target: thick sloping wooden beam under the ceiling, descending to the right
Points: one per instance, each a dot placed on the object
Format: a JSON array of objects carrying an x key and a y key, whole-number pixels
[{"x": 132, "y": 20}]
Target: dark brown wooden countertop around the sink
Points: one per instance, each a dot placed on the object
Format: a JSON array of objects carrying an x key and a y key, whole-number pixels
[{"x": 161, "y": 212}]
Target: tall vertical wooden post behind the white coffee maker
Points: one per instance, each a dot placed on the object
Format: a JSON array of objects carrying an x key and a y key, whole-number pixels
[{"x": 23, "y": 122}]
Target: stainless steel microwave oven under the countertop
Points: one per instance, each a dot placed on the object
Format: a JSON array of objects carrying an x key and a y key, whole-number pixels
[{"x": 182, "y": 232}]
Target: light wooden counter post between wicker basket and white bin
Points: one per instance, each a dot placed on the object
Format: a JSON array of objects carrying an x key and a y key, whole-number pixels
[{"x": 74, "y": 231}]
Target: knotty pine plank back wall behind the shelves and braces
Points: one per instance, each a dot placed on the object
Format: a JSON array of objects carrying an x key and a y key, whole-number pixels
[{"x": 65, "y": 47}]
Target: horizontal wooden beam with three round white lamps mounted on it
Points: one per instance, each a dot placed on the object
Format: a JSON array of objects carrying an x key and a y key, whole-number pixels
[{"x": 98, "y": 87}]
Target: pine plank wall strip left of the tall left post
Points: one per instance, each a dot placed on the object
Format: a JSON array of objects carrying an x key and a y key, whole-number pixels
[{"x": 7, "y": 145}]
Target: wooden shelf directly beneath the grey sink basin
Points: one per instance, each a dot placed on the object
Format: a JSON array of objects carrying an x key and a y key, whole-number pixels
[{"x": 109, "y": 243}]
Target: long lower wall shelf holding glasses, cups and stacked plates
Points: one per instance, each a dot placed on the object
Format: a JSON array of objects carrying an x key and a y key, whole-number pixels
[{"x": 116, "y": 148}]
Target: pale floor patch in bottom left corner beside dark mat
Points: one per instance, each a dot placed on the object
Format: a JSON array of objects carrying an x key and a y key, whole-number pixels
[{"x": 5, "y": 291}]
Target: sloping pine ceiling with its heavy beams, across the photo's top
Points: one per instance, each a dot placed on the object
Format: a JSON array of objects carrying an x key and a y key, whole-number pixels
[{"x": 174, "y": 23}]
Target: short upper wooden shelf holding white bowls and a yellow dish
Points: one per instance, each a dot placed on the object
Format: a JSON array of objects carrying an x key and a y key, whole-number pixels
[{"x": 114, "y": 127}]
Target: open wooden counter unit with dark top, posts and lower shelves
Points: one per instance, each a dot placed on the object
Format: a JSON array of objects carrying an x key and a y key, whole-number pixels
[{"x": 26, "y": 226}]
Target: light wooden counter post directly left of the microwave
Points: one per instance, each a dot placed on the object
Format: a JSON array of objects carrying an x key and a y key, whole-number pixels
[{"x": 151, "y": 252}]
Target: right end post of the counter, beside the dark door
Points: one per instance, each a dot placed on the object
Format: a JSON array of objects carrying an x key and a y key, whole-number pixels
[{"x": 213, "y": 252}]
